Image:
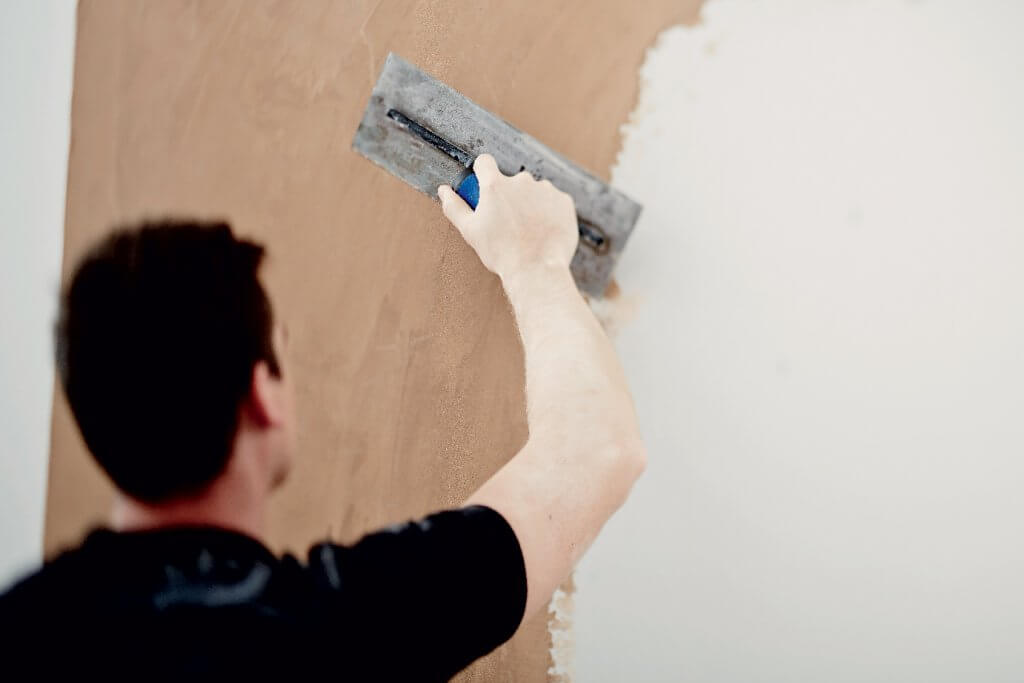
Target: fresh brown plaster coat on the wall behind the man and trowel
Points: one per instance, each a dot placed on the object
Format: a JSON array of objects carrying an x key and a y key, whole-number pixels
[{"x": 406, "y": 357}]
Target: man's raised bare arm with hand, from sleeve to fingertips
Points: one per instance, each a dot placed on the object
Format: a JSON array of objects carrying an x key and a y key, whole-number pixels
[{"x": 584, "y": 452}]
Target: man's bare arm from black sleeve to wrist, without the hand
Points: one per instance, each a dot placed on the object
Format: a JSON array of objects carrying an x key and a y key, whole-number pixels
[{"x": 584, "y": 451}]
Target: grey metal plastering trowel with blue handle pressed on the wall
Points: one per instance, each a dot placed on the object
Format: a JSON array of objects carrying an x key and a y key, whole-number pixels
[{"x": 428, "y": 135}]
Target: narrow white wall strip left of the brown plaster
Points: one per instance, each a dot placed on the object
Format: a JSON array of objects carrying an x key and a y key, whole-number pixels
[{"x": 36, "y": 55}]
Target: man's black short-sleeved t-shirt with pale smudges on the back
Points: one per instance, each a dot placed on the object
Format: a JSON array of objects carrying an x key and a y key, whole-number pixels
[{"x": 415, "y": 603}]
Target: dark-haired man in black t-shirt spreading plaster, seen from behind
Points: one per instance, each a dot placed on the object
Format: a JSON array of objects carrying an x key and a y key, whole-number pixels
[{"x": 177, "y": 375}]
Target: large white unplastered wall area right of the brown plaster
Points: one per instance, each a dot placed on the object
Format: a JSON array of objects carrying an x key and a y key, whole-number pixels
[{"x": 827, "y": 351}]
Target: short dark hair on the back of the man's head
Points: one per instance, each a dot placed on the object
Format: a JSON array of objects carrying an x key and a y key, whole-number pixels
[{"x": 158, "y": 334}]
